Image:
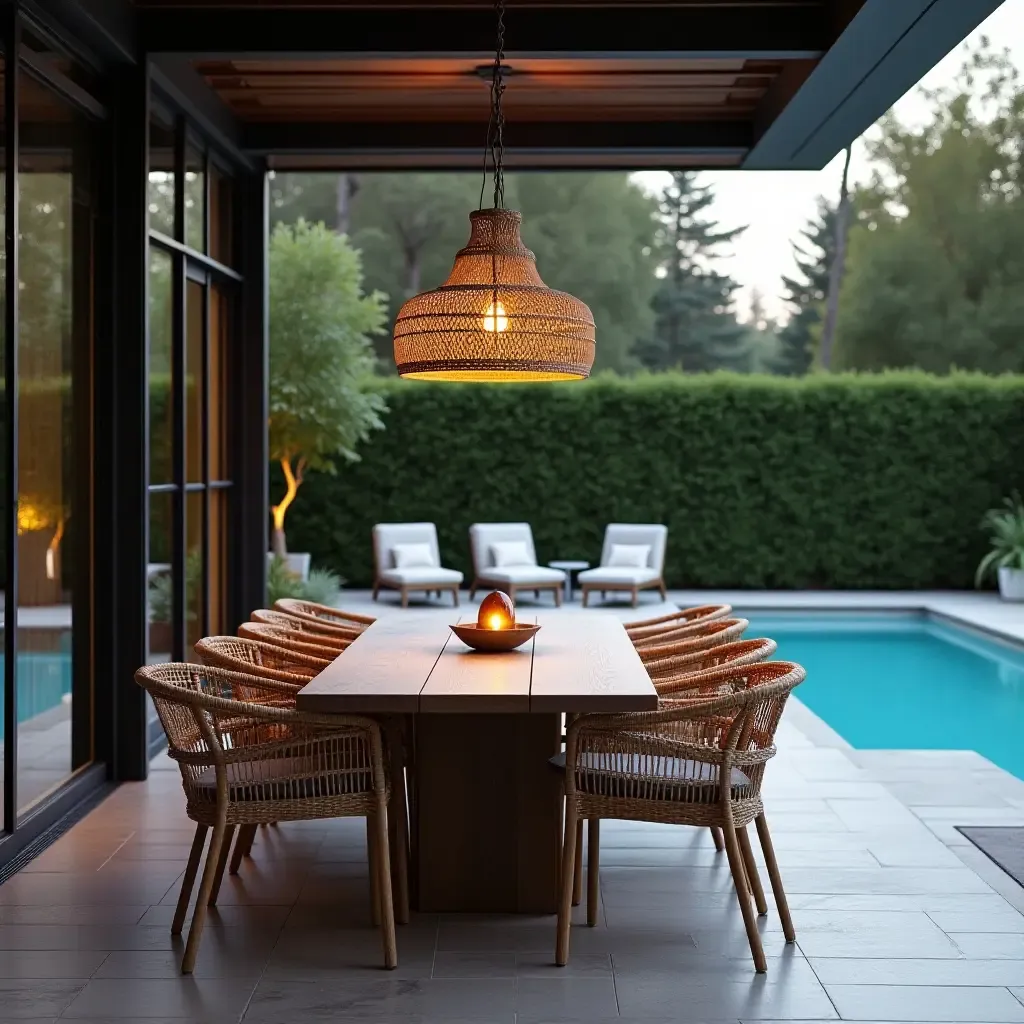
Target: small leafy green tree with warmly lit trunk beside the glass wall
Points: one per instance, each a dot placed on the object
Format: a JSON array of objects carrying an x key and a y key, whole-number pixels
[{"x": 322, "y": 359}]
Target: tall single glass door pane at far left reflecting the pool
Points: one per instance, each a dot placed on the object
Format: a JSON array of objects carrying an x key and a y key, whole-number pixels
[{"x": 54, "y": 442}]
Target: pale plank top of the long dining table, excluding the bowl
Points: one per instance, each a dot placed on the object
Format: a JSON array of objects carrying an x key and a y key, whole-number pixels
[{"x": 577, "y": 663}]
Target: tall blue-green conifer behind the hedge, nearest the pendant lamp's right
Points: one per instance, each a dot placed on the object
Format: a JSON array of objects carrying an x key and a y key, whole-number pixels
[{"x": 696, "y": 327}]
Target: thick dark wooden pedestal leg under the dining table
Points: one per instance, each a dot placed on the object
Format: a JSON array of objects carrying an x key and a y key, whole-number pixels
[{"x": 489, "y": 814}]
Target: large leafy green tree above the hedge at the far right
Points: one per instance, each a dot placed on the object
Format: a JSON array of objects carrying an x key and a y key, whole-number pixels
[{"x": 936, "y": 276}]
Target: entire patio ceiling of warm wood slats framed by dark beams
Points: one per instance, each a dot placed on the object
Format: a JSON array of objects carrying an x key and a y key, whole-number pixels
[{"x": 762, "y": 84}]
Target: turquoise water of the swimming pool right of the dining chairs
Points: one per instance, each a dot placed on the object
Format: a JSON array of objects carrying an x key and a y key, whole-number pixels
[{"x": 904, "y": 682}]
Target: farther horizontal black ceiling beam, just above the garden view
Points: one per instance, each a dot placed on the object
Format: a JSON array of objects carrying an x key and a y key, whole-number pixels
[{"x": 459, "y": 145}]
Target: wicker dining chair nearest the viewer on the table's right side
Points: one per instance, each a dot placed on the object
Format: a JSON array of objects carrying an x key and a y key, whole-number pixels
[{"x": 669, "y": 766}]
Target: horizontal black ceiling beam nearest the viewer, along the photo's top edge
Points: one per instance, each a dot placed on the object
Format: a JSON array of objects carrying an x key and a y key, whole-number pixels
[{"x": 766, "y": 32}]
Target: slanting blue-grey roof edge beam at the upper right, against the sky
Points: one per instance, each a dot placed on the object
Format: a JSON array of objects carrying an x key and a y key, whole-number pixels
[{"x": 884, "y": 52}]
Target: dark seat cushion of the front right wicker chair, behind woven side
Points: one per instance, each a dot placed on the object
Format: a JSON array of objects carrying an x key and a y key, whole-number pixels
[{"x": 643, "y": 777}]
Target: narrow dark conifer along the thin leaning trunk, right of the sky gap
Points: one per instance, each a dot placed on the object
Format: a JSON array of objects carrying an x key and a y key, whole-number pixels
[{"x": 806, "y": 293}]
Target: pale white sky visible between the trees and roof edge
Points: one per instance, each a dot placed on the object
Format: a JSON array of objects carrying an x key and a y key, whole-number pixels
[{"x": 777, "y": 204}]
